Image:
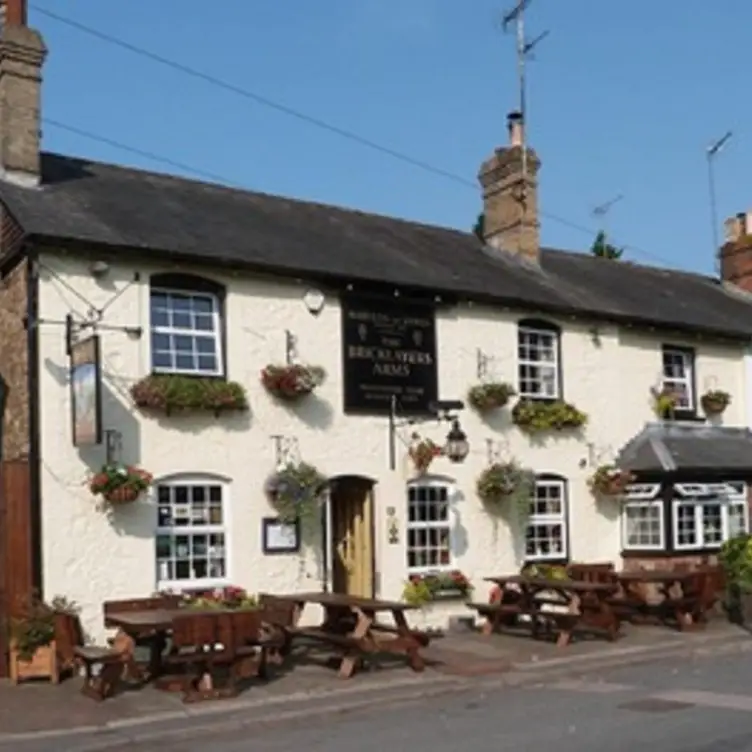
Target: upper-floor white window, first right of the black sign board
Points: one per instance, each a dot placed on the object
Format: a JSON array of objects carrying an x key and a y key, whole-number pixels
[{"x": 538, "y": 360}]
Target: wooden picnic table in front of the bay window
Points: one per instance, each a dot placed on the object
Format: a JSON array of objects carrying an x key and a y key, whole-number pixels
[{"x": 686, "y": 595}]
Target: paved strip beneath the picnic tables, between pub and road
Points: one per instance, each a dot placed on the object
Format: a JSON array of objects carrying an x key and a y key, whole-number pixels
[{"x": 41, "y": 718}]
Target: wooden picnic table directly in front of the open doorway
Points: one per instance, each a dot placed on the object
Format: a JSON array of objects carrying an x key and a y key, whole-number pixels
[{"x": 351, "y": 627}]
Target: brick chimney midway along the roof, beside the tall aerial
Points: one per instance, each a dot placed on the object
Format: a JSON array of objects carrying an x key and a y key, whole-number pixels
[{"x": 510, "y": 197}]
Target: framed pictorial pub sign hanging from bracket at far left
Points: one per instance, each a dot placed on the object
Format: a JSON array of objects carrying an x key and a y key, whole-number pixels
[{"x": 86, "y": 392}]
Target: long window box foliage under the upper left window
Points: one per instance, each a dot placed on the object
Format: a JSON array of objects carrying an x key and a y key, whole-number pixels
[{"x": 170, "y": 393}]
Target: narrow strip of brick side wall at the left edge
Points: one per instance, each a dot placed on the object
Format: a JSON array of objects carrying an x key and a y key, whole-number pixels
[{"x": 14, "y": 363}]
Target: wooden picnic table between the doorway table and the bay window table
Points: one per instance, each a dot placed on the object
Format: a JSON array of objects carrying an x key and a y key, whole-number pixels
[{"x": 577, "y": 606}]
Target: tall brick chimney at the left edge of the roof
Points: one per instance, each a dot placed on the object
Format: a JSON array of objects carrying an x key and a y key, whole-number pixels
[{"x": 22, "y": 54}]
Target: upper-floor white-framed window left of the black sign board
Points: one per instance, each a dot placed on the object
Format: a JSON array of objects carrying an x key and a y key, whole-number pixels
[{"x": 185, "y": 333}]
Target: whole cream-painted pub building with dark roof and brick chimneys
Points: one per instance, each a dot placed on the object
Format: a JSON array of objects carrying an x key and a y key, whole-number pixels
[{"x": 137, "y": 295}]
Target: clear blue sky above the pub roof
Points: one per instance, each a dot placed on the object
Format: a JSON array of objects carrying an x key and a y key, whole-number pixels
[{"x": 624, "y": 99}]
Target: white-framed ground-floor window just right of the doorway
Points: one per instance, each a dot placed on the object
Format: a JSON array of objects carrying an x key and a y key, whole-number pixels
[{"x": 429, "y": 528}]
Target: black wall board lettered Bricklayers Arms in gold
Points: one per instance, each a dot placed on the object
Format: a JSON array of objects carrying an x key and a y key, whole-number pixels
[{"x": 388, "y": 351}]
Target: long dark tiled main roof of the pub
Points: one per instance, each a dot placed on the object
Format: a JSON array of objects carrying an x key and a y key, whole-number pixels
[{"x": 132, "y": 211}]
